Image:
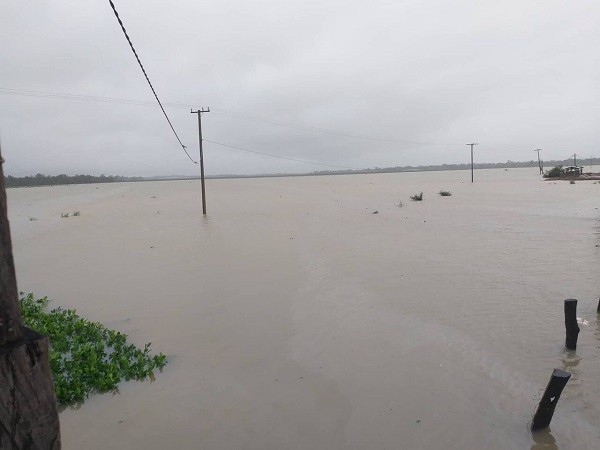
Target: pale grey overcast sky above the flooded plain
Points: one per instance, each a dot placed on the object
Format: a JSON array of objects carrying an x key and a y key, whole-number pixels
[{"x": 424, "y": 77}]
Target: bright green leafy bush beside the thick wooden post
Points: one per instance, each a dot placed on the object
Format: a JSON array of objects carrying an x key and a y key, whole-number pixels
[{"x": 86, "y": 357}]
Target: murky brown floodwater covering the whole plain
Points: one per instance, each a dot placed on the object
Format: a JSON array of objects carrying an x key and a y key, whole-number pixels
[{"x": 295, "y": 318}]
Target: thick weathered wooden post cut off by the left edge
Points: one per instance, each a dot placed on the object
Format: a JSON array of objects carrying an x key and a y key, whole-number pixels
[{"x": 28, "y": 410}]
